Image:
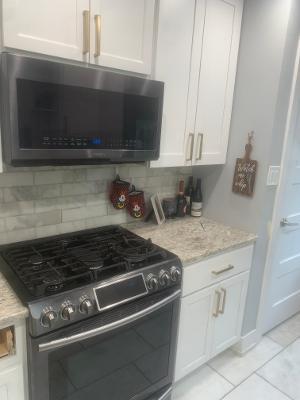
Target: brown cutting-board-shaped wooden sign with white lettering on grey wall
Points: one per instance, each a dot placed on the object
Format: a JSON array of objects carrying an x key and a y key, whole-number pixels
[{"x": 245, "y": 171}]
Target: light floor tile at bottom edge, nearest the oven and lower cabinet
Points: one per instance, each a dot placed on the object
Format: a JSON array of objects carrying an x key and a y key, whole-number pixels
[{"x": 203, "y": 384}]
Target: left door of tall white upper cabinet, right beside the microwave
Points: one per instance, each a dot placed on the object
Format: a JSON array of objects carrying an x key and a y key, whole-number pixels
[{"x": 172, "y": 66}]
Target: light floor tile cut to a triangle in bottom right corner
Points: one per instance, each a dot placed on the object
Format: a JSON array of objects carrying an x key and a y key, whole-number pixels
[{"x": 283, "y": 371}]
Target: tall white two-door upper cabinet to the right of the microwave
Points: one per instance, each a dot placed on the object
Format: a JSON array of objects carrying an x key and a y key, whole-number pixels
[{"x": 197, "y": 53}]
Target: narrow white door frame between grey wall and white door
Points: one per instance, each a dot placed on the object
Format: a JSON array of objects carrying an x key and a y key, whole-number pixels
[{"x": 292, "y": 117}]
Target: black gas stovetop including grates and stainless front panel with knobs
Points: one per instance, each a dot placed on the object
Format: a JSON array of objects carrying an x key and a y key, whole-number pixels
[{"x": 62, "y": 279}]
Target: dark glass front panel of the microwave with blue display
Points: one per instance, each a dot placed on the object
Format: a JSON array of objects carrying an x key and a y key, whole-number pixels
[{"x": 57, "y": 116}]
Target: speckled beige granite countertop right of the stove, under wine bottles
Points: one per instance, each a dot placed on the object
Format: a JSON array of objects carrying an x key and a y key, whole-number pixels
[{"x": 193, "y": 239}]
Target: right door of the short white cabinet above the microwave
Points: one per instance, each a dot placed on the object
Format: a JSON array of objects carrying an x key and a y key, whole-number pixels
[{"x": 122, "y": 34}]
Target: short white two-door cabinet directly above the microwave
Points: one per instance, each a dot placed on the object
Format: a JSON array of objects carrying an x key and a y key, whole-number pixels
[{"x": 111, "y": 33}]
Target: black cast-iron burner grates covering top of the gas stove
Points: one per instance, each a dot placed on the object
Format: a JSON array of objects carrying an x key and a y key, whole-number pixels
[{"x": 50, "y": 266}]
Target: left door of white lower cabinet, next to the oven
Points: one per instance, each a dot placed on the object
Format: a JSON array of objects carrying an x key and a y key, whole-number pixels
[{"x": 194, "y": 332}]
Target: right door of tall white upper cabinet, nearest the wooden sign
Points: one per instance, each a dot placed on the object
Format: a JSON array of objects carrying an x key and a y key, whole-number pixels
[{"x": 215, "y": 52}]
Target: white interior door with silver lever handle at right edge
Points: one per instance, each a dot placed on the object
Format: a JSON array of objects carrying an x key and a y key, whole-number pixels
[{"x": 282, "y": 298}]
